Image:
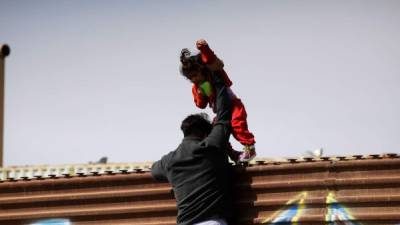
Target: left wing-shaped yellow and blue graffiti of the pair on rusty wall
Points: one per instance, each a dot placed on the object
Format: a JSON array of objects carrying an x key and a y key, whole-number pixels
[{"x": 292, "y": 211}]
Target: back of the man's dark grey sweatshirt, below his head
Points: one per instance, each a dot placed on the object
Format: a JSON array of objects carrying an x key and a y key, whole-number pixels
[{"x": 198, "y": 173}]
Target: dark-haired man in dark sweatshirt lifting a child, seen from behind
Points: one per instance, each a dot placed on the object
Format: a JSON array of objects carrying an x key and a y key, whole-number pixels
[{"x": 198, "y": 169}]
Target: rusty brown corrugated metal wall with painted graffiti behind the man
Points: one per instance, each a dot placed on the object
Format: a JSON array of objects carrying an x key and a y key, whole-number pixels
[{"x": 356, "y": 190}]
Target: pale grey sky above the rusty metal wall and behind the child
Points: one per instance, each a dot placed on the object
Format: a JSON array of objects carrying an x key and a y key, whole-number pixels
[{"x": 87, "y": 79}]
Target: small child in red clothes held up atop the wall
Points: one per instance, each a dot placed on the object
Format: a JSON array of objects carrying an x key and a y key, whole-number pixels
[{"x": 198, "y": 69}]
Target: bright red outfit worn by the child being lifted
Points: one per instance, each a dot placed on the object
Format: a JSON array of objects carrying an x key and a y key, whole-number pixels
[{"x": 239, "y": 116}]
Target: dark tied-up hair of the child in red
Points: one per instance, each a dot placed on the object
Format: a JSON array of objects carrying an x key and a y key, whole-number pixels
[{"x": 191, "y": 63}]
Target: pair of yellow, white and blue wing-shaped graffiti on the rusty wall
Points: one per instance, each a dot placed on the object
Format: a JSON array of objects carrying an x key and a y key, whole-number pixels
[{"x": 337, "y": 214}]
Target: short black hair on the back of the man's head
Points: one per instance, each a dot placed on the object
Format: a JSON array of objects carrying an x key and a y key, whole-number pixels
[{"x": 197, "y": 125}]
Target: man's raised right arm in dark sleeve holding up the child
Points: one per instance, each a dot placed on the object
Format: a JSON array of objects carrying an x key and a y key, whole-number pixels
[{"x": 219, "y": 135}]
